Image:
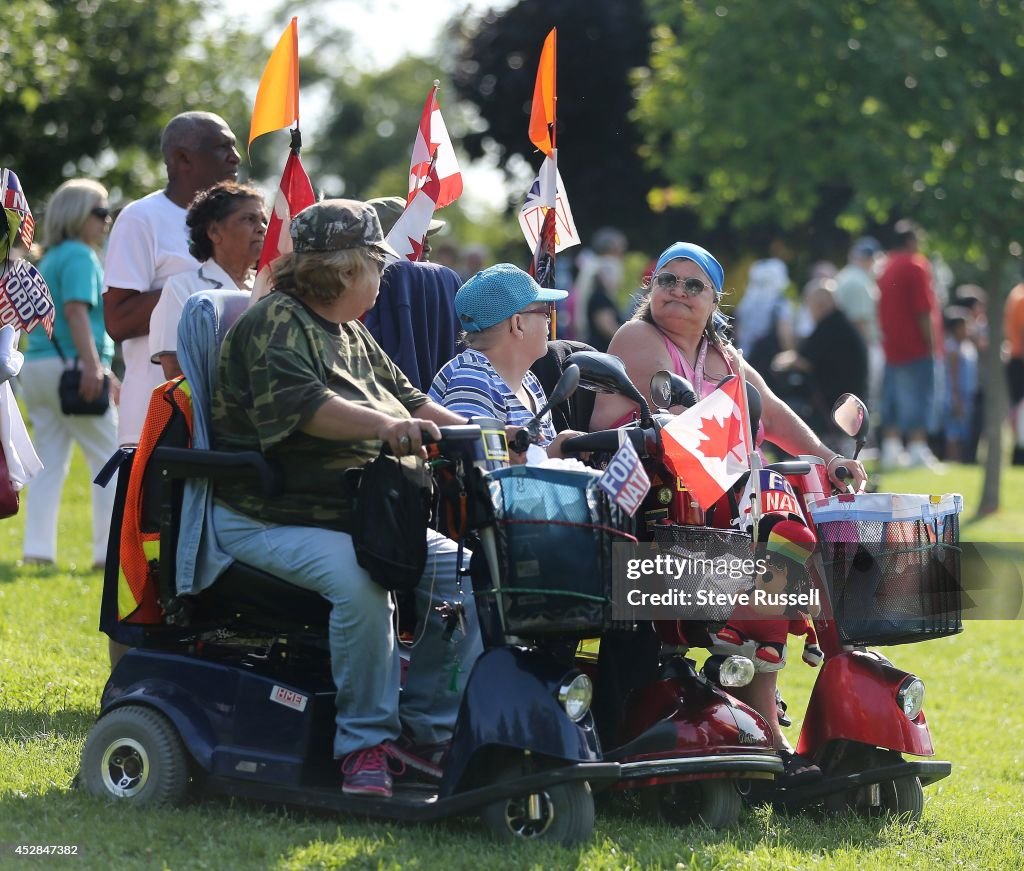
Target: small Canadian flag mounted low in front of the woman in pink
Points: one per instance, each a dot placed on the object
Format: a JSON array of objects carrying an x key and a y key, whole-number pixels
[{"x": 705, "y": 446}]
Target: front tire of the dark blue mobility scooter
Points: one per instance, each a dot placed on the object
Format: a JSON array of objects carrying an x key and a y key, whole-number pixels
[{"x": 568, "y": 811}]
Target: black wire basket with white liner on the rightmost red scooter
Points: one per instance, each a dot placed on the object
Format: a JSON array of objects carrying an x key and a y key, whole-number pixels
[{"x": 892, "y": 565}]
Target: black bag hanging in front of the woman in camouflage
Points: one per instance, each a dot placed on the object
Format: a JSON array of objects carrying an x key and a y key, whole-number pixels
[{"x": 393, "y": 513}]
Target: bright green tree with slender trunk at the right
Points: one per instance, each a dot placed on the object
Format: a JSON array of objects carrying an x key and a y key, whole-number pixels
[{"x": 762, "y": 112}]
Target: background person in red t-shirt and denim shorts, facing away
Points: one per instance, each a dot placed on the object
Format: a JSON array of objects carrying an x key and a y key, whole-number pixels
[{"x": 911, "y": 323}]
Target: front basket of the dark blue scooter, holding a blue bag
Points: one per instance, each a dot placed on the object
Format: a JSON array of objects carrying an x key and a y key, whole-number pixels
[{"x": 554, "y": 531}]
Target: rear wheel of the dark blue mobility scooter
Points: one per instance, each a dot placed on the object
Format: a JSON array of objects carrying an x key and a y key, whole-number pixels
[{"x": 135, "y": 755}]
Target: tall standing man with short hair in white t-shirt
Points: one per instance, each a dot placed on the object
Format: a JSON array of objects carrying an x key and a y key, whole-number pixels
[{"x": 150, "y": 243}]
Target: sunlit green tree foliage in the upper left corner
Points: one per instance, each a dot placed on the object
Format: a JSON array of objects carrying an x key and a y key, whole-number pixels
[{"x": 87, "y": 88}]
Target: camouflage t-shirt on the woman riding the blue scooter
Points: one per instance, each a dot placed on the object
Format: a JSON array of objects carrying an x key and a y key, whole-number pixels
[{"x": 279, "y": 364}]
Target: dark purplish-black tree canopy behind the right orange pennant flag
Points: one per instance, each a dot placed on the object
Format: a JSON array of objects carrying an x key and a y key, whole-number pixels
[{"x": 600, "y": 43}]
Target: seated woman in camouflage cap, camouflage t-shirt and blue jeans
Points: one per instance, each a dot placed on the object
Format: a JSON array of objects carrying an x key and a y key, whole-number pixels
[{"x": 302, "y": 380}]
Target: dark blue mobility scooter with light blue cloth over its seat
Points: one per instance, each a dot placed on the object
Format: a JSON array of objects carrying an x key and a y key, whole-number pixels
[{"x": 230, "y": 691}]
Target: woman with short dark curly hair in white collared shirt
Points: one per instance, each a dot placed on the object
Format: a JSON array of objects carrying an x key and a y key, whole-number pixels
[{"x": 227, "y": 226}]
